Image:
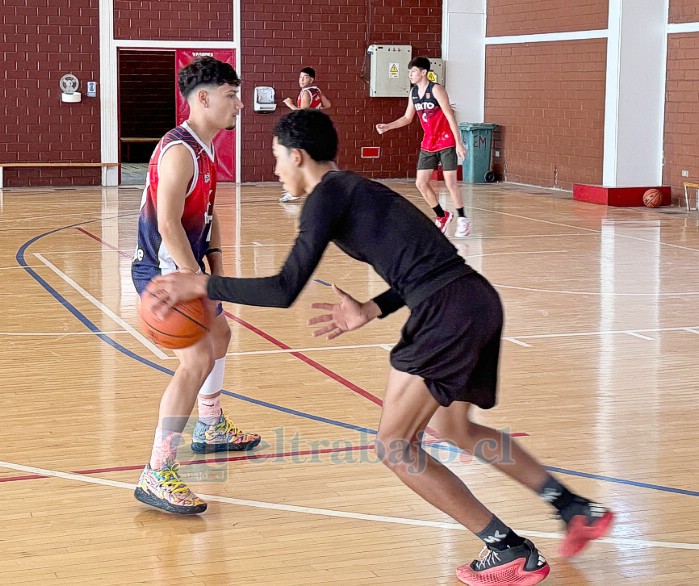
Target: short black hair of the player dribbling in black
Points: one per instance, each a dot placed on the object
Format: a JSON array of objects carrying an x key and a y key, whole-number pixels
[{"x": 310, "y": 130}]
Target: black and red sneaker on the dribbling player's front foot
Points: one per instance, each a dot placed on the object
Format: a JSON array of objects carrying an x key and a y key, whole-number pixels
[{"x": 522, "y": 565}]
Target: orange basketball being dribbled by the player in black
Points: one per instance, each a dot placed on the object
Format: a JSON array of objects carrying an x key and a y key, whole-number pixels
[{"x": 186, "y": 324}]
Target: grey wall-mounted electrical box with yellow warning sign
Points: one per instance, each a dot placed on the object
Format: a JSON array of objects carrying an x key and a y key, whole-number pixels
[{"x": 388, "y": 71}]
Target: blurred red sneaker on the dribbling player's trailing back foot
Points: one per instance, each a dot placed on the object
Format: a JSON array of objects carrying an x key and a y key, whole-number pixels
[{"x": 584, "y": 521}]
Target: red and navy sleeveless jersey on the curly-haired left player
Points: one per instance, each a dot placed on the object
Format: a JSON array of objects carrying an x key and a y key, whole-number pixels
[{"x": 151, "y": 256}]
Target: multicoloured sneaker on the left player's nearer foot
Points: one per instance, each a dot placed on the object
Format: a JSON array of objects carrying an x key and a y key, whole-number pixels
[{"x": 163, "y": 489}]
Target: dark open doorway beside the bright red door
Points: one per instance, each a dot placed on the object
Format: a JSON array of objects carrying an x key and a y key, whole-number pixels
[{"x": 146, "y": 98}]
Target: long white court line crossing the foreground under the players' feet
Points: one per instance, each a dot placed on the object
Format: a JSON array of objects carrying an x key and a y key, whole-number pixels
[{"x": 340, "y": 514}]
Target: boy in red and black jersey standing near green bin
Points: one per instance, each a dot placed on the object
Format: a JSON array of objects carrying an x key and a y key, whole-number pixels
[{"x": 441, "y": 143}]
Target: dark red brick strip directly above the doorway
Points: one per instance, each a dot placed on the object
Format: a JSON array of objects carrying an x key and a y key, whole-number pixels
[{"x": 173, "y": 20}]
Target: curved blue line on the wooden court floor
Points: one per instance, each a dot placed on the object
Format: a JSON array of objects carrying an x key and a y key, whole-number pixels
[{"x": 105, "y": 338}]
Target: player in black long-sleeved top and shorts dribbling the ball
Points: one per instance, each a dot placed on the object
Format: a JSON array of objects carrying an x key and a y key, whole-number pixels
[{"x": 447, "y": 356}]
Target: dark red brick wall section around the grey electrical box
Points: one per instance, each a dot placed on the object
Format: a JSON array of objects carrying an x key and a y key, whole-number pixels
[{"x": 332, "y": 37}]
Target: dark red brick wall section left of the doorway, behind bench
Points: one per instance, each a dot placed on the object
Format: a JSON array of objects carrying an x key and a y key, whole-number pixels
[{"x": 39, "y": 45}]
